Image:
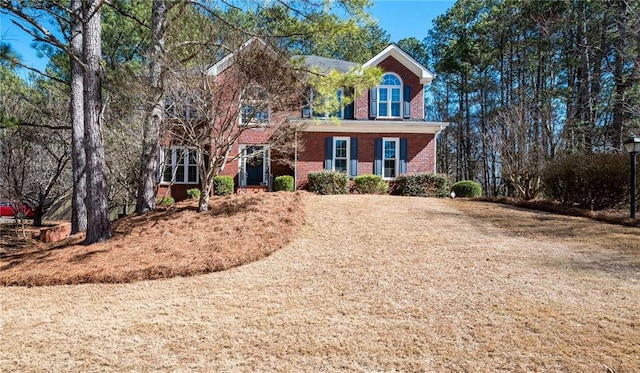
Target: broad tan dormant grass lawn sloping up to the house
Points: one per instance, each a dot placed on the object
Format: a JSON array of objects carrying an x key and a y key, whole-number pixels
[{"x": 372, "y": 283}]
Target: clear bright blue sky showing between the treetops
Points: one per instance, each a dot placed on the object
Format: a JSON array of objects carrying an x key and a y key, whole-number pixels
[{"x": 400, "y": 18}]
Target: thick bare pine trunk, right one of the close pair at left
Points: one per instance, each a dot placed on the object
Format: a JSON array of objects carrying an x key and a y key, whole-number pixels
[{"x": 98, "y": 225}]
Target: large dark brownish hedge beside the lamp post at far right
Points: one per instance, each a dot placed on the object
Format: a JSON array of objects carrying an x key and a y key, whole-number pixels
[{"x": 589, "y": 181}]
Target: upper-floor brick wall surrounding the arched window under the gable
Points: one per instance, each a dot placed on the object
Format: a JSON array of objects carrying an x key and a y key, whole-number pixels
[{"x": 390, "y": 64}]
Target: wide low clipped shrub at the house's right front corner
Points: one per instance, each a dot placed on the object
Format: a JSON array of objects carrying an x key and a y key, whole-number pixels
[{"x": 421, "y": 185}]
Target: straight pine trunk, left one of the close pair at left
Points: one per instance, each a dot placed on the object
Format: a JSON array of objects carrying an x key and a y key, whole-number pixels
[{"x": 78, "y": 209}]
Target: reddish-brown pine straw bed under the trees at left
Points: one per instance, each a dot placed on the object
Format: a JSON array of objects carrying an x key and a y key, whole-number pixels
[{"x": 168, "y": 242}]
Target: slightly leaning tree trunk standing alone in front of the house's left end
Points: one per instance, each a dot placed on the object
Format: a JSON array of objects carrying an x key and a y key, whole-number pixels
[{"x": 146, "y": 199}]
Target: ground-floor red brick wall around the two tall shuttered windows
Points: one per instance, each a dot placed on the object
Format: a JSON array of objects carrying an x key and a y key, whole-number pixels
[{"x": 420, "y": 154}]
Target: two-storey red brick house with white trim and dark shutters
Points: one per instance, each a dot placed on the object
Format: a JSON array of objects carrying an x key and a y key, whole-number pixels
[{"x": 381, "y": 132}]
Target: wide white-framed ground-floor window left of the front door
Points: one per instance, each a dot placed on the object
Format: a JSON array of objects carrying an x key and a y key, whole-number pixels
[{"x": 179, "y": 165}]
